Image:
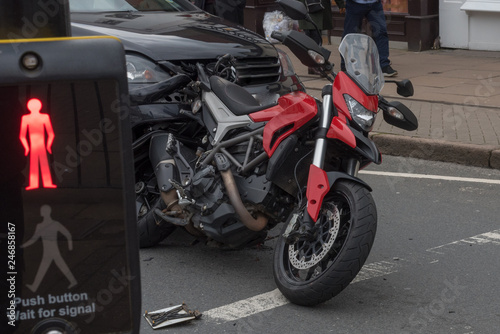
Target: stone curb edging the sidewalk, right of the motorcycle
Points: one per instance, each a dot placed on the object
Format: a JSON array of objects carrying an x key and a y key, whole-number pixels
[{"x": 486, "y": 156}]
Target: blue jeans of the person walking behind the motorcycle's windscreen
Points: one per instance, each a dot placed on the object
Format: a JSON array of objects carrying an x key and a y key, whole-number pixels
[{"x": 374, "y": 13}]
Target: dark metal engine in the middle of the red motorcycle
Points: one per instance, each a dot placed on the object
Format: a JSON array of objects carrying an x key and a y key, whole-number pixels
[{"x": 210, "y": 210}]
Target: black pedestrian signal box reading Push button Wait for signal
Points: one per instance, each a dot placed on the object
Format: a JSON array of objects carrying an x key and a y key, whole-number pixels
[{"x": 67, "y": 215}]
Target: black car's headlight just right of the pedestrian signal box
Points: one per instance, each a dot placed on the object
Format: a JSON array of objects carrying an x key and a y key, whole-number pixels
[{"x": 143, "y": 71}]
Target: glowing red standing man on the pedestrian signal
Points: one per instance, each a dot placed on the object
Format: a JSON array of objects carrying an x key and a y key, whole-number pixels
[{"x": 36, "y": 124}]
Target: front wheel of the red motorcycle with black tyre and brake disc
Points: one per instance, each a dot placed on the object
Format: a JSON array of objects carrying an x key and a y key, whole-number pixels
[{"x": 309, "y": 272}]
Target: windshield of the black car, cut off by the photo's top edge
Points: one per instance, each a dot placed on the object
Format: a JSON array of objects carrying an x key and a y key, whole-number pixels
[{"x": 130, "y": 5}]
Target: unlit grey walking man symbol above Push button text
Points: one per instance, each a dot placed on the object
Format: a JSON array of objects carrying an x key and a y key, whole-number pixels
[{"x": 47, "y": 231}]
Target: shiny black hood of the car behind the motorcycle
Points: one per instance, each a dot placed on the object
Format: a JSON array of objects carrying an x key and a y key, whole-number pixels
[{"x": 174, "y": 36}]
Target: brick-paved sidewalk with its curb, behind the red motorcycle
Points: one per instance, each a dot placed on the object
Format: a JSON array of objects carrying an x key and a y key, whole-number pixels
[{"x": 456, "y": 101}]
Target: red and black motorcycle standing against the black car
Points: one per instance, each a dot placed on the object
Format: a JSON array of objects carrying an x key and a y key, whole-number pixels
[{"x": 228, "y": 169}]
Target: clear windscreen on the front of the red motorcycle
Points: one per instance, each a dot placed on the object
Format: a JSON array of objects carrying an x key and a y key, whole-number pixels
[{"x": 362, "y": 62}]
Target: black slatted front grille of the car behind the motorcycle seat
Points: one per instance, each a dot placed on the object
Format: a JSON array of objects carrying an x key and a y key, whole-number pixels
[{"x": 257, "y": 71}]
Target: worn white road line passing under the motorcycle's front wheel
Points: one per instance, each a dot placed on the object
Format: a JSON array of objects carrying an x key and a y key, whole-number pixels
[{"x": 270, "y": 300}]
